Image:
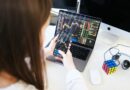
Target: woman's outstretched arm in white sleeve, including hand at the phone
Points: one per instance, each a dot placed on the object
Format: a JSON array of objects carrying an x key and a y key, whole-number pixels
[{"x": 74, "y": 79}]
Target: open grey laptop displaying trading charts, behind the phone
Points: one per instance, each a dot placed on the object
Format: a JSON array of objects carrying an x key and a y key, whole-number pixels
[{"x": 79, "y": 30}]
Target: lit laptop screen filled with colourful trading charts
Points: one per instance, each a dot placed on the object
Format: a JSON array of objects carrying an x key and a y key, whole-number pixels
[{"x": 79, "y": 29}]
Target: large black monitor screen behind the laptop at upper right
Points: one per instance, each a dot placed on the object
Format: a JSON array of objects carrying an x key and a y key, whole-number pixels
[{"x": 112, "y": 12}]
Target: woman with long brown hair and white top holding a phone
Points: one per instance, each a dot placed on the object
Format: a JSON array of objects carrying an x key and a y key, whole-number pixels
[{"x": 22, "y": 60}]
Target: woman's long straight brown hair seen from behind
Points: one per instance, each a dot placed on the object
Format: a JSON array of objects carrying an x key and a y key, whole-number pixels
[{"x": 20, "y": 28}]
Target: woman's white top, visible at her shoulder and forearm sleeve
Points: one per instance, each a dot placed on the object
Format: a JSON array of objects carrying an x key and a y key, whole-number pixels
[{"x": 74, "y": 81}]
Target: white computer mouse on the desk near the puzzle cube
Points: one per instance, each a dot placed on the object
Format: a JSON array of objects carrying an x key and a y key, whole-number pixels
[{"x": 95, "y": 77}]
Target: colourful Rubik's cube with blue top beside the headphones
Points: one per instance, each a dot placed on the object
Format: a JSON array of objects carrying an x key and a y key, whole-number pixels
[{"x": 109, "y": 66}]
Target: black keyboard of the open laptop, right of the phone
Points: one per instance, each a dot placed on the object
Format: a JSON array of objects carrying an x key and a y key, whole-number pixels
[{"x": 79, "y": 52}]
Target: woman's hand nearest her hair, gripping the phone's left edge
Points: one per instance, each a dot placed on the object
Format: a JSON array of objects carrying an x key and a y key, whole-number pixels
[{"x": 49, "y": 50}]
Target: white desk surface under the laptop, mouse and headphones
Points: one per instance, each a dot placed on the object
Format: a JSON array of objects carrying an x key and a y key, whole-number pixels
[{"x": 117, "y": 81}]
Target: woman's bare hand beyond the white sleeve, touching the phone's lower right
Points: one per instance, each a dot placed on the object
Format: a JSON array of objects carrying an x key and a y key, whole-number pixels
[{"x": 67, "y": 60}]
